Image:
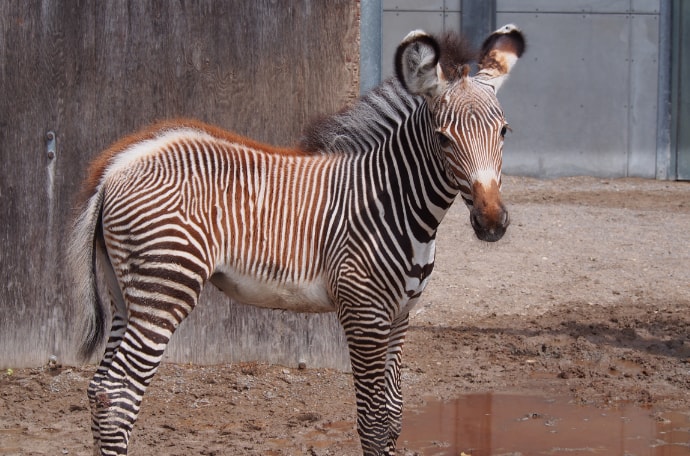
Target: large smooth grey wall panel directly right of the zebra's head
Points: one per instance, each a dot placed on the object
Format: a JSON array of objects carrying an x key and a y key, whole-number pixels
[{"x": 568, "y": 99}]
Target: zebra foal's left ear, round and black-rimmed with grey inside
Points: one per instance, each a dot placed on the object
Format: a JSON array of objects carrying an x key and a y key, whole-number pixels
[{"x": 417, "y": 67}]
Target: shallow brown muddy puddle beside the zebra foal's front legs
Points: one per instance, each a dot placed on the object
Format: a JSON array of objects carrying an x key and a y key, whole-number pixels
[{"x": 508, "y": 425}]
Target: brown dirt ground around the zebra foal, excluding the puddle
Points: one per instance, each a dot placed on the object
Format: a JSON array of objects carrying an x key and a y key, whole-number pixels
[{"x": 586, "y": 297}]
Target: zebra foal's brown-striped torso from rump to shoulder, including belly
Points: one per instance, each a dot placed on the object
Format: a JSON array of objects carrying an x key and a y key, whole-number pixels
[{"x": 252, "y": 219}]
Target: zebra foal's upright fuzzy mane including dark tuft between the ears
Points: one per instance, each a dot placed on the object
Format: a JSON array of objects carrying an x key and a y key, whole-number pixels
[{"x": 332, "y": 133}]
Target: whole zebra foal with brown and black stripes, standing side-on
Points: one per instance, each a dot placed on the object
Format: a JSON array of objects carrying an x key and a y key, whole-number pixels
[{"x": 344, "y": 222}]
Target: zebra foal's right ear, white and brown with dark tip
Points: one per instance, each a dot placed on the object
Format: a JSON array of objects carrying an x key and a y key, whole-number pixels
[{"x": 499, "y": 53}]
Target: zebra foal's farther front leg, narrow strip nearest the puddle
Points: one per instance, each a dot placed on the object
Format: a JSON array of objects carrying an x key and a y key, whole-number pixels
[{"x": 394, "y": 398}]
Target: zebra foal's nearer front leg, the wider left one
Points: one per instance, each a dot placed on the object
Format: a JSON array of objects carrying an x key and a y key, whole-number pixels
[{"x": 368, "y": 344}]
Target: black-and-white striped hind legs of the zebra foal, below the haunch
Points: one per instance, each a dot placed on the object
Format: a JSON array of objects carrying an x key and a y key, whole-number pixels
[{"x": 158, "y": 299}]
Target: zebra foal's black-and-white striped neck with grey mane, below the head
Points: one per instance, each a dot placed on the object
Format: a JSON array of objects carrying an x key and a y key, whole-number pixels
[{"x": 396, "y": 163}]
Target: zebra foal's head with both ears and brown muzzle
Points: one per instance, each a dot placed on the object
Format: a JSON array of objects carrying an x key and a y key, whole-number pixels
[{"x": 467, "y": 119}]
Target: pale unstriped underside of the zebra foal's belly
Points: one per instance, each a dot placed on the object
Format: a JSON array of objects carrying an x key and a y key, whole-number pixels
[{"x": 303, "y": 296}]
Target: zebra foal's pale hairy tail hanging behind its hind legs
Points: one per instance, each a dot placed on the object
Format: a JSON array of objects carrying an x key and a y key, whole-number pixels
[{"x": 82, "y": 253}]
